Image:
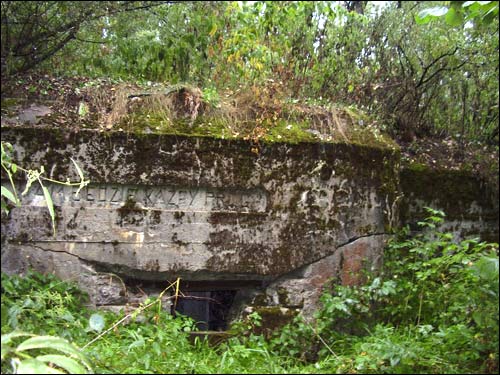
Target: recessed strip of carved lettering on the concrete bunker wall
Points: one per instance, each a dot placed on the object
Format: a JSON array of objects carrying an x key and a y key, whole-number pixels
[{"x": 157, "y": 197}]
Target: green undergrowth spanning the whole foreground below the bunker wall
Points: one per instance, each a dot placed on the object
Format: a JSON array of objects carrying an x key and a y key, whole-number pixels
[{"x": 433, "y": 308}]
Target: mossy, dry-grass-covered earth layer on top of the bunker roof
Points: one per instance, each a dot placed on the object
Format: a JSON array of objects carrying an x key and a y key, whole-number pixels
[{"x": 260, "y": 113}]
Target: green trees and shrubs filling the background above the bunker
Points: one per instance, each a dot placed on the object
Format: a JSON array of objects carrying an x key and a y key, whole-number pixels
[{"x": 423, "y": 68}]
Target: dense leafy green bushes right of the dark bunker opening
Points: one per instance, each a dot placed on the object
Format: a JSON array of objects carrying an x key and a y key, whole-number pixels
[{"x": 433, "y": 308}]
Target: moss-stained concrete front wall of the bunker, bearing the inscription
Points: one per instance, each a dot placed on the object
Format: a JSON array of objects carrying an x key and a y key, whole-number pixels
[{"x": 162, "y": 207}]
